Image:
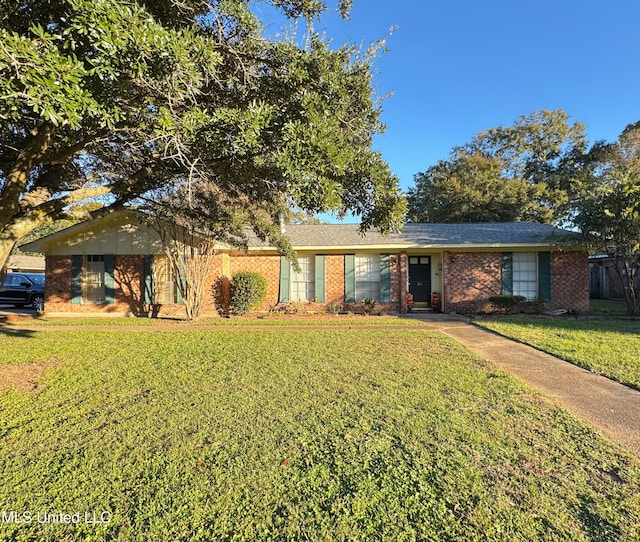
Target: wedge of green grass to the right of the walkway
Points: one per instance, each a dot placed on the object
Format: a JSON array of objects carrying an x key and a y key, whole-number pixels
[{"x": 610, "y": 348}]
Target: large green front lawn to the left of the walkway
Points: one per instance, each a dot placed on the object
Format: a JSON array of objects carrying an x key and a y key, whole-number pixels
[{"x": 354, "y": 434}]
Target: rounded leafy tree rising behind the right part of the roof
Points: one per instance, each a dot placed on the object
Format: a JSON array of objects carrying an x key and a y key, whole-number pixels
[{"x": 527, "y": 171}]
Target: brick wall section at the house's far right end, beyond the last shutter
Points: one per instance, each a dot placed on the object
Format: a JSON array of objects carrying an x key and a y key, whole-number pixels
[{"x": 570, "y": 281}]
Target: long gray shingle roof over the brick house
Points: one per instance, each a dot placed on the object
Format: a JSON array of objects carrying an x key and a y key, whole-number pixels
[{"x": 426, "y": 235}]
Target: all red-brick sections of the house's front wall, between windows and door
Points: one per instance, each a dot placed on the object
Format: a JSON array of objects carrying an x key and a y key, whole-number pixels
[{"x": 468, "y": 279}]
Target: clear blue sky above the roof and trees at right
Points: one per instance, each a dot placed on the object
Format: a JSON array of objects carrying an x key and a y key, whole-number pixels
[{"x": 457, "y": 67}]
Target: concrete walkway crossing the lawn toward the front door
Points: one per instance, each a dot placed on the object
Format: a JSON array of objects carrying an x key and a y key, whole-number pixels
[{"x": 605, "y": 404}]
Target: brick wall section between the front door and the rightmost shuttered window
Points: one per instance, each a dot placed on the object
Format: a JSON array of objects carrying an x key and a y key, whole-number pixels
[{"x": 470, "y": 278}]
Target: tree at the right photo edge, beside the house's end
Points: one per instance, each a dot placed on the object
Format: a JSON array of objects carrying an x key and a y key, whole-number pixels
[{"x": 609, "y": 212}]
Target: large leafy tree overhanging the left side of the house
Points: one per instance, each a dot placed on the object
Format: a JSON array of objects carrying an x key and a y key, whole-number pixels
[{"x": 127, "y": 102}]
